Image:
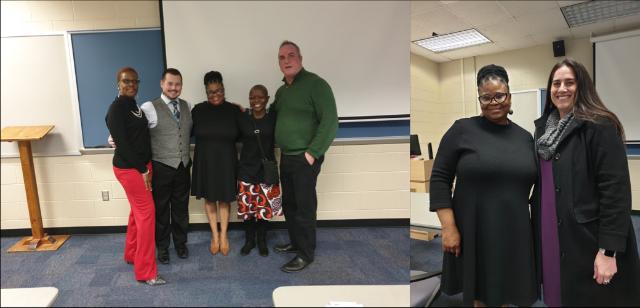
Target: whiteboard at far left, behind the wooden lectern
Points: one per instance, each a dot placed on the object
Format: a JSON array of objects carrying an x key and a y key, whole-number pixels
[{"x": 36, "y": 91}]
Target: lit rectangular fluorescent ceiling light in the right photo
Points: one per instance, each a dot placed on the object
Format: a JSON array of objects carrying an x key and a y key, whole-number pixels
[{"x": 455, "y": 40}]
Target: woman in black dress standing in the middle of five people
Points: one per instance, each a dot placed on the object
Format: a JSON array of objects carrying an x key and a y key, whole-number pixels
[{"x": 215, "y": 126}]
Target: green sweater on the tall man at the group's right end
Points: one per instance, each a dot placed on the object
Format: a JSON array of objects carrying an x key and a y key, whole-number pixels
[{"x": 307, "y": 115}]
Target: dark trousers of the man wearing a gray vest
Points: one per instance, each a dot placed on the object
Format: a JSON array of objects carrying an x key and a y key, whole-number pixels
[{"x": 171, "y": 196}]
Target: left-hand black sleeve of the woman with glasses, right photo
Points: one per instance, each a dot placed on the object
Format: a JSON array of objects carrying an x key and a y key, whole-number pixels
[{"x": 444, "y": 169}]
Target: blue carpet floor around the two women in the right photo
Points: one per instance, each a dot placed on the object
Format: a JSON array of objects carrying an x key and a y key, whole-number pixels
[{"x": 427, "y": 256}]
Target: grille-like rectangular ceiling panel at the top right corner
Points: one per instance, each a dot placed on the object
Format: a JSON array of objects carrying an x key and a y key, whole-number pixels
[{"x": 595, "y": 11}]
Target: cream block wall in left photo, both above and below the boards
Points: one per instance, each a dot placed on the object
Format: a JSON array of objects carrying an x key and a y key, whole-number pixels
[{"x": 365, "y": 181}]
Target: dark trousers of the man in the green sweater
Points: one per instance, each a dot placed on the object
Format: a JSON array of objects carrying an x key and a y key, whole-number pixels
[{"x": 300, "y": 202}]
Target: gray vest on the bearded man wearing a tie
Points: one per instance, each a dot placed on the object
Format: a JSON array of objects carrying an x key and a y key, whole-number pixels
[{"x": 170, "y": 139}]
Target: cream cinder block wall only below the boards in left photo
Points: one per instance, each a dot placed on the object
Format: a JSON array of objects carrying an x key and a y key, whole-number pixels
[{"x": 356, "y": 182}]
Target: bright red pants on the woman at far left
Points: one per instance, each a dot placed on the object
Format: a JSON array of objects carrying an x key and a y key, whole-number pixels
[{"x": 139, "y": 247}]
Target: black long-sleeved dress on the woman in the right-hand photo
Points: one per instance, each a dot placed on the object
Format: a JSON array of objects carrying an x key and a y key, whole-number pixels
[{"x": 495, "y": 169}]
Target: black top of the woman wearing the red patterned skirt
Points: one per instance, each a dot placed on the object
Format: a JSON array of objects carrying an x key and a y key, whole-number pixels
[{"x": 249, "y": 168}]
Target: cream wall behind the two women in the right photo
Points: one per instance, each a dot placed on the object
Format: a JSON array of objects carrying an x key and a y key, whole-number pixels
[{"x": 528, "y": 68}]
